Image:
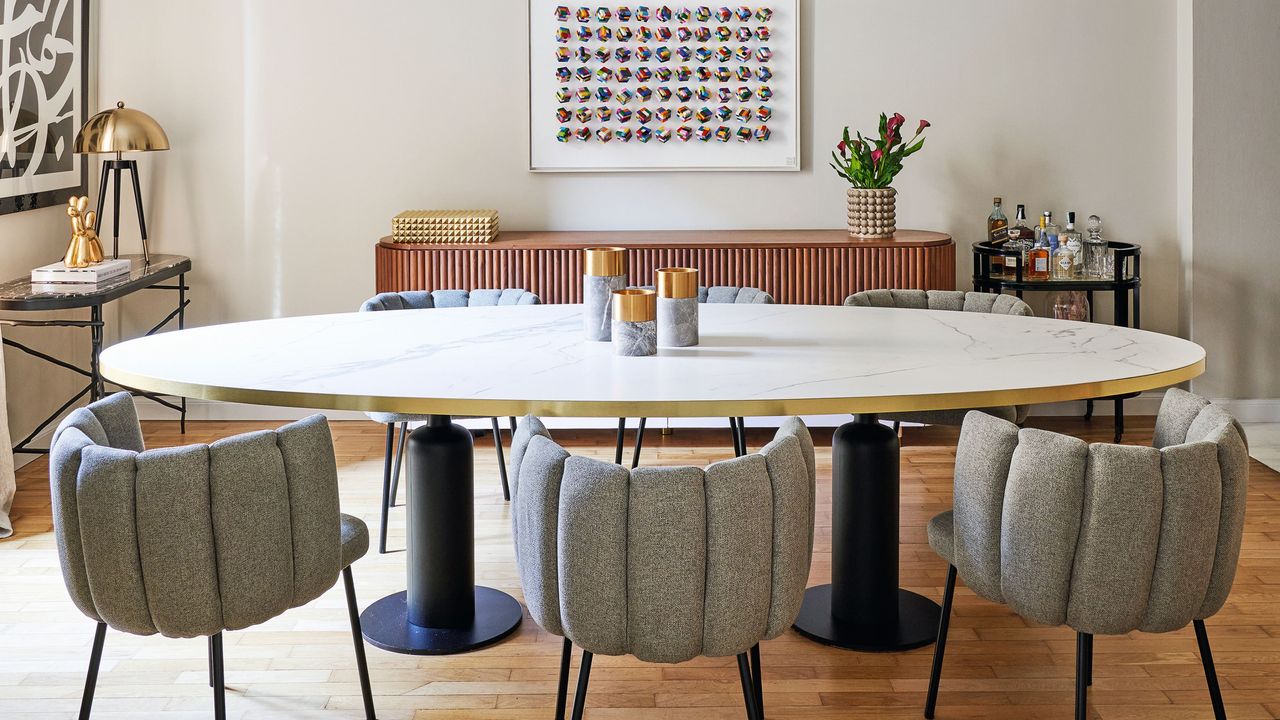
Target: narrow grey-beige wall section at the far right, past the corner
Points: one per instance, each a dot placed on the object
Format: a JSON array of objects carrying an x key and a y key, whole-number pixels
[{"x": 1236, "y": 176}]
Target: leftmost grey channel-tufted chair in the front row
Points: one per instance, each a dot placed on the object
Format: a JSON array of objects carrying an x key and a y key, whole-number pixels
[{"x": 199, "y": 540}]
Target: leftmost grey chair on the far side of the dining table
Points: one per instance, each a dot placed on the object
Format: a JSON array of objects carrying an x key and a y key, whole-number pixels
[{"x": 426, "y": 300}]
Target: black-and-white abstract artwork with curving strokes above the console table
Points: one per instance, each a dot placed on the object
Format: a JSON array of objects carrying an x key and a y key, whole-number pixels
[{"x": 44, "y": 79}]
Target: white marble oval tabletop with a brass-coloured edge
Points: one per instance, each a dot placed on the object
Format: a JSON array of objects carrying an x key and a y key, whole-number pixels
[{"x": 753, "y": 361}]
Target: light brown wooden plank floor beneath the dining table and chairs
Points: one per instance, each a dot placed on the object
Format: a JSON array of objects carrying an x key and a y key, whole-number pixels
[{"x": 301, "y": 664}]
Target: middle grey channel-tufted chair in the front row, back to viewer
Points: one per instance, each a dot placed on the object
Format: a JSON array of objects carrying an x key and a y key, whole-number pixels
[{"x": 665, "y": 564}]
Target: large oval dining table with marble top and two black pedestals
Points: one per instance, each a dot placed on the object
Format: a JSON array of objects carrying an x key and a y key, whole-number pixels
[{"x": 753, "y": 361}]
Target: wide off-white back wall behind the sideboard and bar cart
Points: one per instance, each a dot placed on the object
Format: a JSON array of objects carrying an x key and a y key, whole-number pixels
[{"x": 300, "y": 127}]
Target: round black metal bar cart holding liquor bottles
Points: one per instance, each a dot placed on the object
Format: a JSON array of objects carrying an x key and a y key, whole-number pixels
[{"x": 1124, "y": 285}]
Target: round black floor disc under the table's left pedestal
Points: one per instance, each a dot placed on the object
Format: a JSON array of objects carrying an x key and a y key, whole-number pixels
[{"x": 386, "y": 626}]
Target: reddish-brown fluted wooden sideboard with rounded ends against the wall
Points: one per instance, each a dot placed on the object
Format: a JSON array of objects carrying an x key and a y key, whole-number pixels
[{"x": 796, "y": 267}]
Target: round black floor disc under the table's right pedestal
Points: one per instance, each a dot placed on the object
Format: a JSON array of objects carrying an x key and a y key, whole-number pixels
[{"x": 917, "y": 625}]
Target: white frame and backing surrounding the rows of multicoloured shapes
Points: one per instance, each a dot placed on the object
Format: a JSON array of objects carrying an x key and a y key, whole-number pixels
[{"x": 548, "y": 154}]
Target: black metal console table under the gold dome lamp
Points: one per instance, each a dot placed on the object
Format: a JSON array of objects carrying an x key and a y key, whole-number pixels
[{"x": 20, "y": 295}]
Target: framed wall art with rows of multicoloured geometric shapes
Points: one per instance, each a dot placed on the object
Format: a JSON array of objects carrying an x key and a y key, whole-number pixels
[{"x": 625, "y": 86}]
